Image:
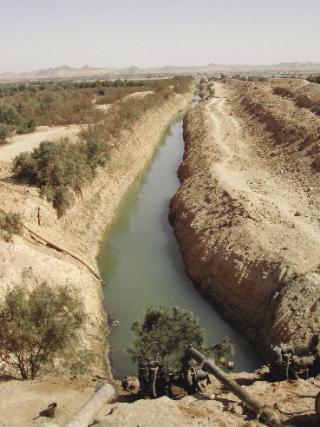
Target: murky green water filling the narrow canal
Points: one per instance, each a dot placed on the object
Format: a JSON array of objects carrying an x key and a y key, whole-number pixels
[{"x": 141, "y": 263}]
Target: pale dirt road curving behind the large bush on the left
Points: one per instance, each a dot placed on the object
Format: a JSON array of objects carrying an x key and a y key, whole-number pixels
[{"x": 28, "y": 142}]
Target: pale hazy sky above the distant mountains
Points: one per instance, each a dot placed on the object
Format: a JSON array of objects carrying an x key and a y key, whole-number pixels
[{"x": 118, "y": 33}]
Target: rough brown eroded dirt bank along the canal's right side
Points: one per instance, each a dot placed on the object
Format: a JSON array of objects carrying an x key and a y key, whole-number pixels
[{"x": 247, "y": 212}]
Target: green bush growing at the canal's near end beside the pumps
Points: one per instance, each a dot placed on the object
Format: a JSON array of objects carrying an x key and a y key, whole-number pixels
[{"x": 165, "y": 333}]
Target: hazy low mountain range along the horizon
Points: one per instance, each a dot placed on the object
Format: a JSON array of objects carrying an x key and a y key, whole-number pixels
[{"x": 66, "y": 72}]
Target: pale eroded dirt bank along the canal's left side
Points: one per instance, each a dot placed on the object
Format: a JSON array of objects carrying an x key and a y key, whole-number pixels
[{"x": 25, "y": 262}]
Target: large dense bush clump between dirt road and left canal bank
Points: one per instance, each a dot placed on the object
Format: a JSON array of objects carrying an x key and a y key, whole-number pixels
[{"x": 61, "y": 169}]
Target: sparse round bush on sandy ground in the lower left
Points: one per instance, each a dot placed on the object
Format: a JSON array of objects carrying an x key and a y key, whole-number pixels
[{"x": 37, "y": 328}]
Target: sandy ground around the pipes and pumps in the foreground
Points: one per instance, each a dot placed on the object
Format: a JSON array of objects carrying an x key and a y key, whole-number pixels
[{"x": 292, "y": 402}]
